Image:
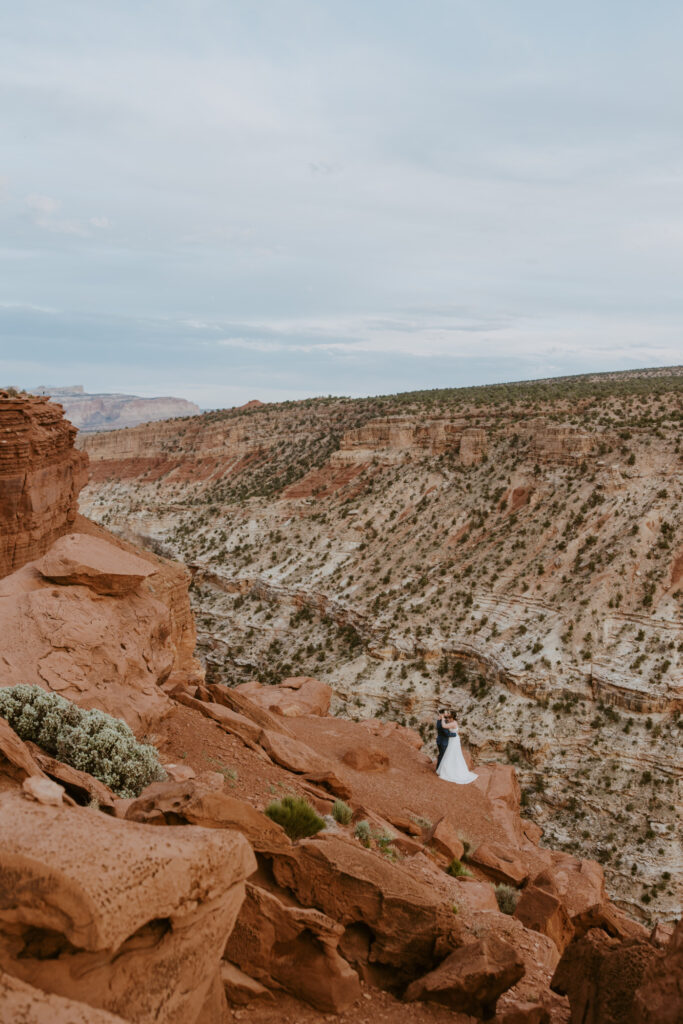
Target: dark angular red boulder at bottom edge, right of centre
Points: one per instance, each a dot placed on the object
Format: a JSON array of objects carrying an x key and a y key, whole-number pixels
[{"x": 472, "y": 979}]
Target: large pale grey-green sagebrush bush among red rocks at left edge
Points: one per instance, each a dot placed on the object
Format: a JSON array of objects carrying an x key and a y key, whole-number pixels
[{"x": 92, "y": 741}]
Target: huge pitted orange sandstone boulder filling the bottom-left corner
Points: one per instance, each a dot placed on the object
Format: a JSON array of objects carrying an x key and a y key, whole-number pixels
[{"x": 114, "y": 914}]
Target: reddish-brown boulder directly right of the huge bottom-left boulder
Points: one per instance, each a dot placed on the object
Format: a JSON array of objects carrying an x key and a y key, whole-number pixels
[{"x": 293, "y": 948}]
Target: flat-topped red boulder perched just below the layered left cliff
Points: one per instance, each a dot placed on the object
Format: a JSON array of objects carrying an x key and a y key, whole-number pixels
[{"x": 89, "y": 562}]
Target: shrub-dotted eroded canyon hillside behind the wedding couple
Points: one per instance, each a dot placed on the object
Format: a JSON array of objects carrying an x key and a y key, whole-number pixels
[{"x": 514, "y": 551}]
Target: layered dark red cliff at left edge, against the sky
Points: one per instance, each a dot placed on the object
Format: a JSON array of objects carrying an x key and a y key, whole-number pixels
[{"x": 41, "y": 476}]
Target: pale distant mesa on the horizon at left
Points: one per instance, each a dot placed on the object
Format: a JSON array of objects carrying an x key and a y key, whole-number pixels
[{"x": 93, "y": 413}]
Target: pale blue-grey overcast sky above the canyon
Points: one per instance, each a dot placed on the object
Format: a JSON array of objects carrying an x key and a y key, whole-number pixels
[{"x": 229, "y": 200}]
